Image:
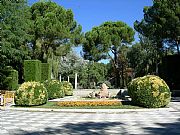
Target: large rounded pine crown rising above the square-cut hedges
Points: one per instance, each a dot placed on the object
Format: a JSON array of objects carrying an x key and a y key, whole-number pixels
[{"x": 54, "y": 30}]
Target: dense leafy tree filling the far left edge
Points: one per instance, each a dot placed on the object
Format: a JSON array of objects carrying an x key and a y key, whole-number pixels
[{"x": 15, "y": 34}]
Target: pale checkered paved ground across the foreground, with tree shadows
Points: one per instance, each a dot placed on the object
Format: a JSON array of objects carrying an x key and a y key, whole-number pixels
[{"x": 159, "y": 122}]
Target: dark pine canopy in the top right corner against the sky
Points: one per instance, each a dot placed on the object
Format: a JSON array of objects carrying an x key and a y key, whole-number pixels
[{"x": 161, "y": 23}]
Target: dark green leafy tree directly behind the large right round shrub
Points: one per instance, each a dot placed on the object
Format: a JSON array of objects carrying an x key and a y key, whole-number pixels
[{"x": 144, "y": 57}]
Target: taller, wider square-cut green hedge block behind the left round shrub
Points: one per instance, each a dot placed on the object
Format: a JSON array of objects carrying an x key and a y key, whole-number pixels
[{"x": 32, "y": 70}]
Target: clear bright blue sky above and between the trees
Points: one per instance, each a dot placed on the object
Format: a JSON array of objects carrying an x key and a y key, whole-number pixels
[{"x": 90, "y": 13}]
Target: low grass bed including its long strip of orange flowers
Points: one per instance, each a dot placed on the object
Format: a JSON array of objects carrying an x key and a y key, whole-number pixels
[{"x": 100, "y": 104}]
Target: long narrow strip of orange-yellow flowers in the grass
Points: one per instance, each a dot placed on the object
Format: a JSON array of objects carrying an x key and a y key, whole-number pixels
[{"x": 89, "y": 103}]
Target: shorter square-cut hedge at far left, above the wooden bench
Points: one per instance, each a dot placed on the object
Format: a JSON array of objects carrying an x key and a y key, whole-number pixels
[{"x": 12, "y": 80}]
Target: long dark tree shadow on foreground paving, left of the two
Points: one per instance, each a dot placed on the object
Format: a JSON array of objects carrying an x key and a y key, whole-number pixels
[{"x": 82, "y": 128}]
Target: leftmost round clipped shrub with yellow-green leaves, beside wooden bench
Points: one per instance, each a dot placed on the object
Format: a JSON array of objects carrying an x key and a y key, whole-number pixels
[{"x": 31, "y": 93}]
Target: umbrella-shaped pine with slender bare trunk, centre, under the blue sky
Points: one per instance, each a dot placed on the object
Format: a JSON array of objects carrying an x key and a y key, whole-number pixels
[{"x": 106, "y": 38}]
